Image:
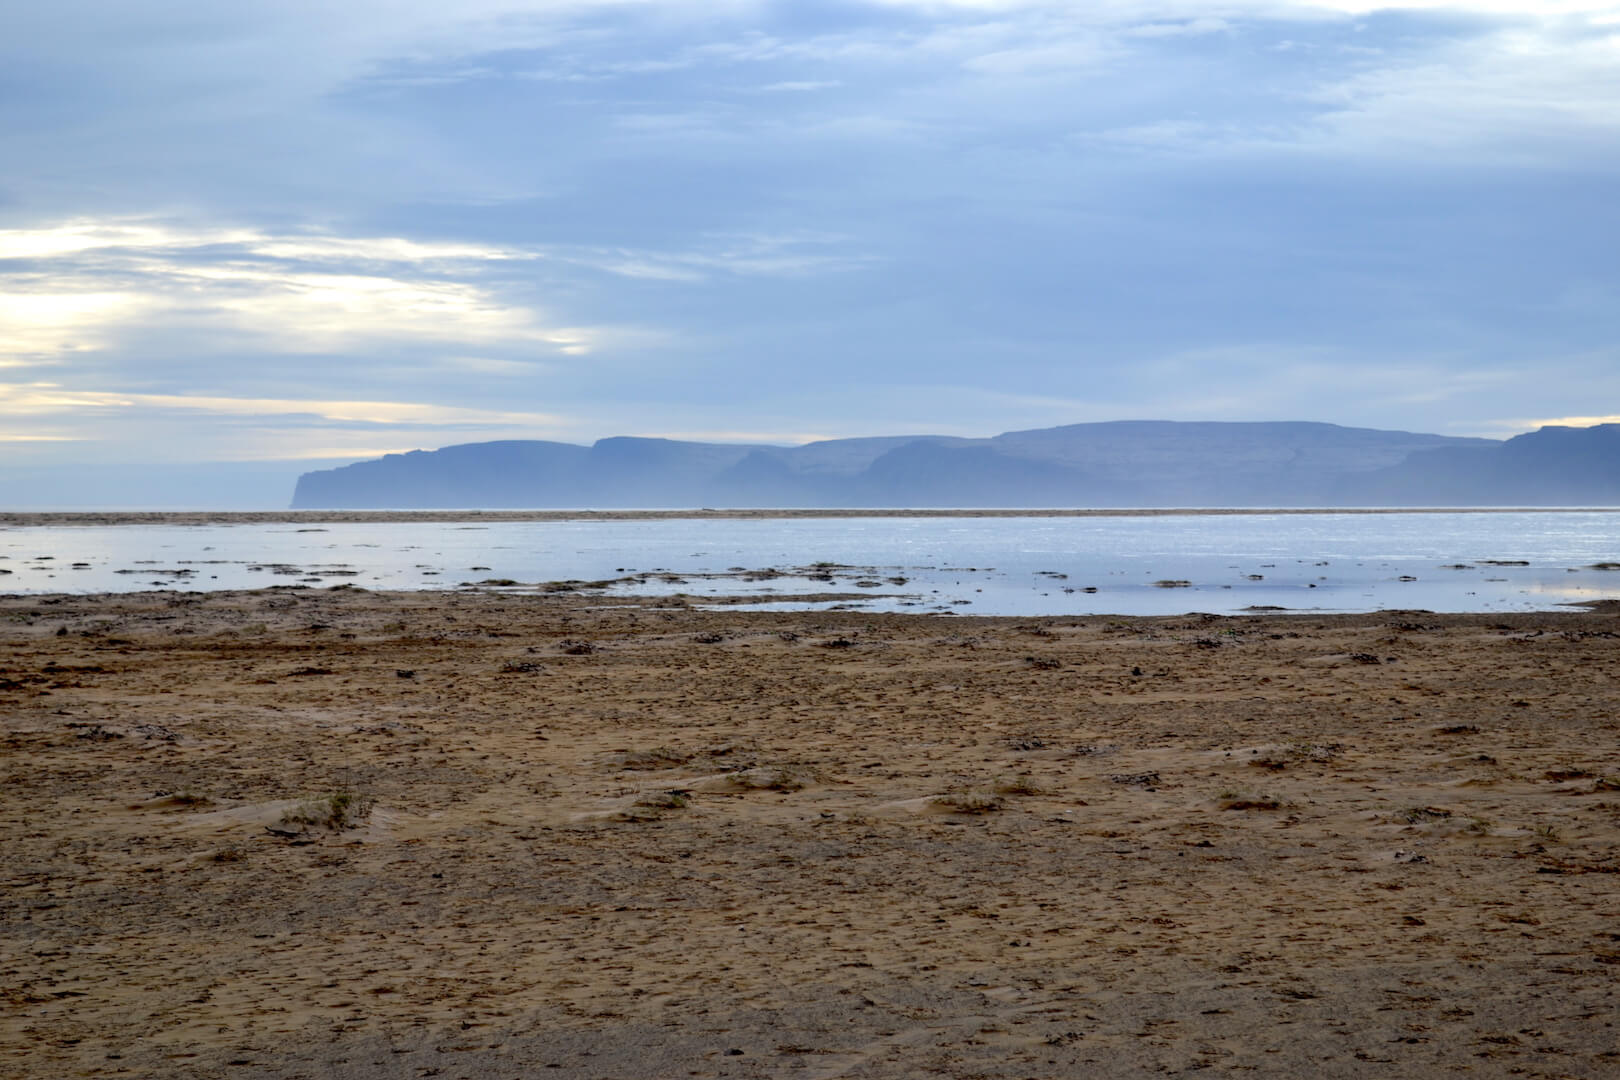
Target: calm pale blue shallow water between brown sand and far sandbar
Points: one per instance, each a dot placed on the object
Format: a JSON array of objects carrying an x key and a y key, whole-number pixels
[{"x": 971, "y": 566}]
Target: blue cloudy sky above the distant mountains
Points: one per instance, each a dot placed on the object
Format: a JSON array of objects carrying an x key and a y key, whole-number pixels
[{"x": 302, "y": 232}]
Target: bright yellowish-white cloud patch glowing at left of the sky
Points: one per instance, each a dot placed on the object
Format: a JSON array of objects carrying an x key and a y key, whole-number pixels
[{"x": 88, "y": 284}]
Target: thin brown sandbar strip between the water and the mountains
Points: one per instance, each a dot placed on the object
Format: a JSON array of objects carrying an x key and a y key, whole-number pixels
[{"x": 40, "y": 519}]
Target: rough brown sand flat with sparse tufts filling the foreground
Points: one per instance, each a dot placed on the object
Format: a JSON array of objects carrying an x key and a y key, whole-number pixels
[{"x": 616, "y": 841}]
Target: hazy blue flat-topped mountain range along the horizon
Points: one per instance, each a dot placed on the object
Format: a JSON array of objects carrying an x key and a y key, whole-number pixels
[{"x": 1127, "y": 464}]
